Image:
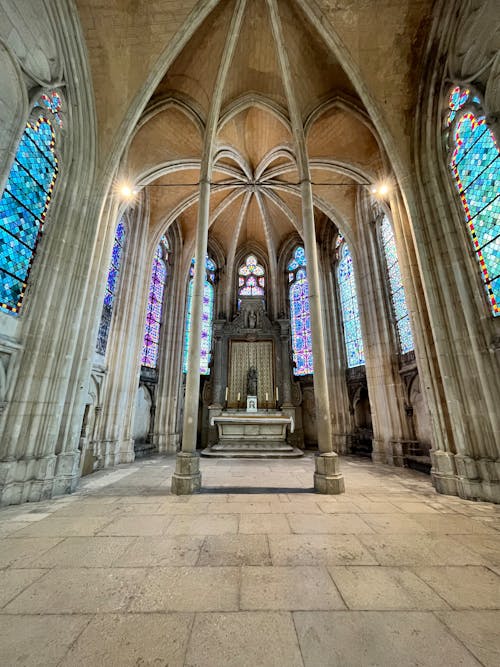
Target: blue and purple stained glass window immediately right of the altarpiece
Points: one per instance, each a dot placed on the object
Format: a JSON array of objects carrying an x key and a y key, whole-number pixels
[{"x": 298, "y": 292}]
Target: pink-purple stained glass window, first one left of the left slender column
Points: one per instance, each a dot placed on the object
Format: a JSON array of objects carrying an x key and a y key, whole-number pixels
[{"x": 151, "y": 341}]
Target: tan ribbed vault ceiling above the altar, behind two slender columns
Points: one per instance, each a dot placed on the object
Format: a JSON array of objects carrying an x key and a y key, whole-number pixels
[{"x": 255, "y": 183}]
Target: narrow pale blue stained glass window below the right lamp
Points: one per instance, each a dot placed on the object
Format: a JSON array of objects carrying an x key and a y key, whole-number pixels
[{"x": 396, "y": 289}]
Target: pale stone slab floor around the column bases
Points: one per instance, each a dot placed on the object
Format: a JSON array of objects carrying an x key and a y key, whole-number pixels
[{"x": 256, "y": 570}]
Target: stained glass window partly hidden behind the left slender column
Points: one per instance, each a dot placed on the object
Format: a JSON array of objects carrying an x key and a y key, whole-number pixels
[{"x": 207, "y": 316}]
